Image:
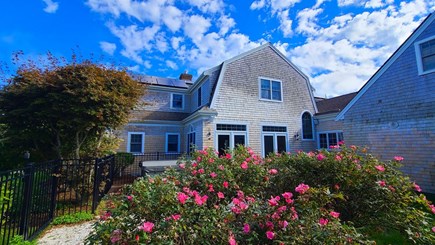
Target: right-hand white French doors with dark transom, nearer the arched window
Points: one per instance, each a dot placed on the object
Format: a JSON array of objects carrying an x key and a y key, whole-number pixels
[{"x": 274, "y": 139}]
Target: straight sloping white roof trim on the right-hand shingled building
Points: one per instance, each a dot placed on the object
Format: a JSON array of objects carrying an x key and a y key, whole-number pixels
[{"x": 405, "y": 45}]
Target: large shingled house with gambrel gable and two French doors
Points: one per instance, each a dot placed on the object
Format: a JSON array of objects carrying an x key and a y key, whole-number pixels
[{"x": 258, "y": 99}]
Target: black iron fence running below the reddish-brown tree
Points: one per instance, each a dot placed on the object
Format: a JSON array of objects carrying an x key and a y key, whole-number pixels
[{"x": 31, "y": 197}]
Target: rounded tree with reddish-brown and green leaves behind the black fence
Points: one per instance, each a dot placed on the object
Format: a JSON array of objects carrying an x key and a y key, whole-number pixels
[{"x": 60, "y": 108}]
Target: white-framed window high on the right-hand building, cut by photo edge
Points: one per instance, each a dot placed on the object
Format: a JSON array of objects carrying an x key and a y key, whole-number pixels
[{"x": 425, "y": 51}]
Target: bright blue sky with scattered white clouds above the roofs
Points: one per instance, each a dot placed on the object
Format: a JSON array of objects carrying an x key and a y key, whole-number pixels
[{"x": 339, "y": 44}]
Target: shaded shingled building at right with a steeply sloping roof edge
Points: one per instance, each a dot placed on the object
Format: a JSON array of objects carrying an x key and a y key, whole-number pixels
[{"x": 394, "y": 112}]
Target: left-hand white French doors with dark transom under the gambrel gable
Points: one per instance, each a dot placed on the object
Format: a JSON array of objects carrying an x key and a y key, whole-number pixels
[{"x": 229, "y": 136}]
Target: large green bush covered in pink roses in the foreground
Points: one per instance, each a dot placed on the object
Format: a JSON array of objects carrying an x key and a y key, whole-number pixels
[{"x": 326, "y": 197}]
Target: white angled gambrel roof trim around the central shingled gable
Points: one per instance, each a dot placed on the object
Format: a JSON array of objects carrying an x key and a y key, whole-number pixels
[{"x": 242, "y": 55}]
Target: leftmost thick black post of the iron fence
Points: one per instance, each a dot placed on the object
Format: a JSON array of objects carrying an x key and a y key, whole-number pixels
[{"x": 29, "y": 172}]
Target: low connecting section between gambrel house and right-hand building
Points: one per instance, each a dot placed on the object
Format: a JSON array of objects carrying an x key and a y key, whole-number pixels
[{"x": 328, "y": 130}]
